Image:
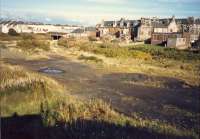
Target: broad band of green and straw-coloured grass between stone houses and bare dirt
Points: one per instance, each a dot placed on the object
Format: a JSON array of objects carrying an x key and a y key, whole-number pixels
[{"x": 149, "y": 59}]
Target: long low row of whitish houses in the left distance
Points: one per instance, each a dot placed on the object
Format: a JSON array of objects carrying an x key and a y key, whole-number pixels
[{"x": 56, "y": 31}]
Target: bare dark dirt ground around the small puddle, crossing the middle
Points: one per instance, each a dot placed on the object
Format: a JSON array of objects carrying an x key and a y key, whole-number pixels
[{"x": 176, "y": 103}]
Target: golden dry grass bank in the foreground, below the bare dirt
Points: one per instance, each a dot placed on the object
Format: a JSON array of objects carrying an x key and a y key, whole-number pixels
[{"x": 24, "y": 92}]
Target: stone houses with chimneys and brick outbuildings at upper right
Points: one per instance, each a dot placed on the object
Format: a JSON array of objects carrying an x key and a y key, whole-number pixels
[{"x": 170, "y": 32}]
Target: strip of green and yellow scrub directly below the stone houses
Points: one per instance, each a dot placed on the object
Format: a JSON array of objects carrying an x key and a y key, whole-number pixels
[{"x": 146, "y": 52}]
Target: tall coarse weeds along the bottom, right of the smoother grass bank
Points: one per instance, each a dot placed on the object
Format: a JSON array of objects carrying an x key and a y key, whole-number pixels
[{"x": 73, "y": 116}]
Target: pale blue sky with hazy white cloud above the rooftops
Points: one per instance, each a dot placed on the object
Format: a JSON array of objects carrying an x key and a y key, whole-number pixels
[{"x": 93, "y": 11}]
